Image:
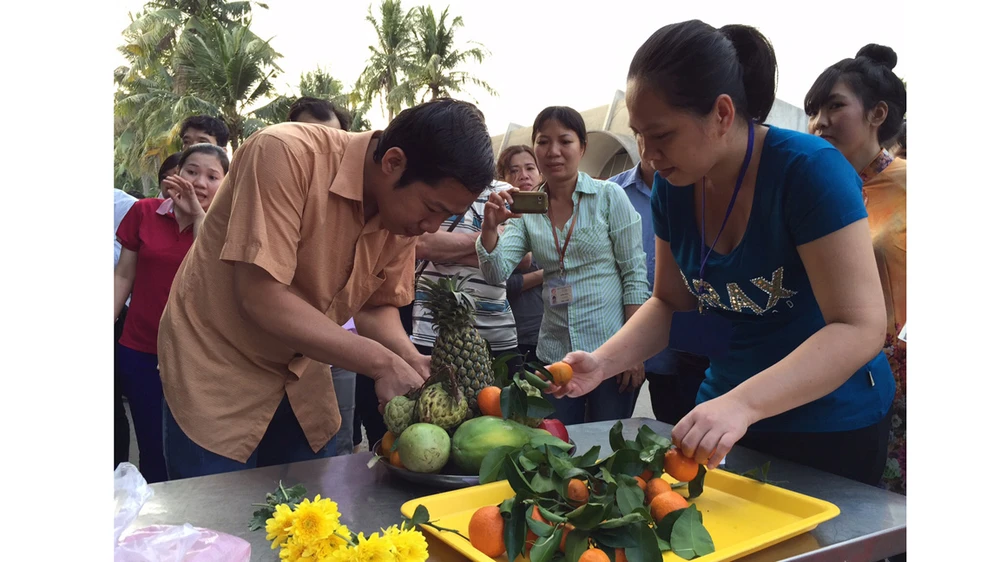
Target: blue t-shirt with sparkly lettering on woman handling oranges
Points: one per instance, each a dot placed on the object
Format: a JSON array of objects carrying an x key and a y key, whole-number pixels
[{"x": 805, "y": 189}]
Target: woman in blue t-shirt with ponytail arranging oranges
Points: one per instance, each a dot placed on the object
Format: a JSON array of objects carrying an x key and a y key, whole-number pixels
[{"x": 764, "y": 264}]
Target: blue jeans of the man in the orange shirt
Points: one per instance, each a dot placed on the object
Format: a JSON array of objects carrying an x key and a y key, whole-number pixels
[{"x": 283, "y": 442}]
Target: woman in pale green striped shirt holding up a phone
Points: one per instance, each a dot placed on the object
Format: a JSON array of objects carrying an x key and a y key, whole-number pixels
[{"x": 590, "y": 246}]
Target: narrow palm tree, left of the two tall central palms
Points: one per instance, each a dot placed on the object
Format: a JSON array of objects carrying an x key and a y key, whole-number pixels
[{"x": 389, "y": 58}]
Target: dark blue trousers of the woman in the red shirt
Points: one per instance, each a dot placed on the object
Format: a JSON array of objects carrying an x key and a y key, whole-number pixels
[{"x": 140, "y": 383}]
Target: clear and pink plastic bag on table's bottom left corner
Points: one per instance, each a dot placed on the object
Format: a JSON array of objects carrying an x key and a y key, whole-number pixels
[{"x": 165, "y": 543}]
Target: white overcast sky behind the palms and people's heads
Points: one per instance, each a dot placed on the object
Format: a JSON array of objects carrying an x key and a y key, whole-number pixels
[{"x": 557, "y": 52}]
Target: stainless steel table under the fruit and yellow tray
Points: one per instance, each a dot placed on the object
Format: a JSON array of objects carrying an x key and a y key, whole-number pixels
[{"x": 871, "y": 525}]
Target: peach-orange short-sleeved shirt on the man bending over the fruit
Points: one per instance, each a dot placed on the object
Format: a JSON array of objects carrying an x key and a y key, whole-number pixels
[{"x": 292, "y": 204}]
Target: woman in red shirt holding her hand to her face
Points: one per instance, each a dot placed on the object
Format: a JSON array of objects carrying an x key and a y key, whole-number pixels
[{"x": 155, "y": 236}]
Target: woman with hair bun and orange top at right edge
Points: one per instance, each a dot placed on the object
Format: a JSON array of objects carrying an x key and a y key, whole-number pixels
[{"x": 858, "y": 105}]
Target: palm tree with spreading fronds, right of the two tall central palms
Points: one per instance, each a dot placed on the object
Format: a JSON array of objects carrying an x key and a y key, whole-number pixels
[{"x": 433, "y": 71}]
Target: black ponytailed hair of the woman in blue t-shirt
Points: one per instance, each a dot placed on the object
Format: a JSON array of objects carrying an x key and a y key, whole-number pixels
[{"x": 692, "y": 63}]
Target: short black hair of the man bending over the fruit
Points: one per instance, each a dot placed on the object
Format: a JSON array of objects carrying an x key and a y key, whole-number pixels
[{"x": 442, "y": 138}]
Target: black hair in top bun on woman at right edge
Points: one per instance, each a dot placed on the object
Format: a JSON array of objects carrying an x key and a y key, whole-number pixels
[{"x": 869, "y": 75}]
